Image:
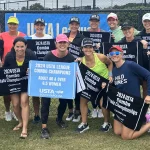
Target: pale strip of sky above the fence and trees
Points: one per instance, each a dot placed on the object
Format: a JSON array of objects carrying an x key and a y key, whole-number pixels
[{"x": 72, "y": 3}]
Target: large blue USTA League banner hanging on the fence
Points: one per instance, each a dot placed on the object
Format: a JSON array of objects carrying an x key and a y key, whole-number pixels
[{"x": 54, "y": 23}]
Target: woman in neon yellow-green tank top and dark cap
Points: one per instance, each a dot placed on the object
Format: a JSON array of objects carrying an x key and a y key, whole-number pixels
[{"x": 97, "y": 63}]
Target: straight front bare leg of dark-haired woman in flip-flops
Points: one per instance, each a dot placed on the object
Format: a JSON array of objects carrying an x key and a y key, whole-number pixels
[{"x": 25, "y": 111}]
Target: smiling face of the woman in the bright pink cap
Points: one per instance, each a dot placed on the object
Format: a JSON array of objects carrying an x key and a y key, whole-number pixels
[{"x": 62, "y": 46}]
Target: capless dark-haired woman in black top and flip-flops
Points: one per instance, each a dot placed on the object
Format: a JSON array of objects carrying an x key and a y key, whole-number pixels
[{"x": 20, "y": 56}]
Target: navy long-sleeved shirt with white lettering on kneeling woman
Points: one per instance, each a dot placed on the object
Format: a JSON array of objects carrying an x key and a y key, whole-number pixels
[{"x": 127, "y": 78}]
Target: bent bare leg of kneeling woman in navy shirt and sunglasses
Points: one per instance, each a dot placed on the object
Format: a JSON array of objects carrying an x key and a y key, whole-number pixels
[{"x": 129, "y": 134}]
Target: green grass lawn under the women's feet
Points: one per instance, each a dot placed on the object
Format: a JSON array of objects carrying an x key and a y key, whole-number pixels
[{"x": 65, "y": 139}]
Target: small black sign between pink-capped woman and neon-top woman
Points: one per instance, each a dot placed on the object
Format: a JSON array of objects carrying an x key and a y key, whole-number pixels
[{"x": 75, "y": 50}]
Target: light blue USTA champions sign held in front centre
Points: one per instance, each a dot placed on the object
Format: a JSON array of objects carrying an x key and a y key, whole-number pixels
[{"x": 52, "y": 79}]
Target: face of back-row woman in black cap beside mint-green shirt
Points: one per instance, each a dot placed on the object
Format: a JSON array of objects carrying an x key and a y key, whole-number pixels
[{"x": 128, "y": 32}]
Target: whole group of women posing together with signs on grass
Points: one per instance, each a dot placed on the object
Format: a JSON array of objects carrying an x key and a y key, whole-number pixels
[{"x": 17, "y": 54}]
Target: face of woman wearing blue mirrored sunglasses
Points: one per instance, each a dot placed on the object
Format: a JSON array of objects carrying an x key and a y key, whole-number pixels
[{"x": 116, "y": 56}]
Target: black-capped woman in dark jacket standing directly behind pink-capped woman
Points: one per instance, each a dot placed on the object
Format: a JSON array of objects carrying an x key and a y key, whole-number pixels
[{"x": 74, "y": 38}]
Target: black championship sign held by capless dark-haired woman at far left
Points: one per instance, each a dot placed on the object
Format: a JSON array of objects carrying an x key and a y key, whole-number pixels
[{"x": 13, "y": 80}]
